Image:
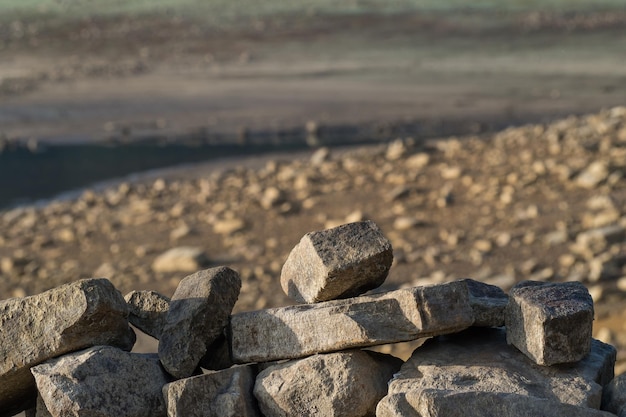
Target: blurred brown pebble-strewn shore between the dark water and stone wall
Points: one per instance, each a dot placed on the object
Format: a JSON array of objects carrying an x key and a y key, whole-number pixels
[{"x": 542, "y": 202}]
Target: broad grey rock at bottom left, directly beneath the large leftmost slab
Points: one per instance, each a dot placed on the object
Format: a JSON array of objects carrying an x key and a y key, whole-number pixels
[{"x": 102, "y": 381}]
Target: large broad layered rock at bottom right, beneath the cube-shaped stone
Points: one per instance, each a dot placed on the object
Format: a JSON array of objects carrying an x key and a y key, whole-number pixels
[{"x": 479, "y": 364}]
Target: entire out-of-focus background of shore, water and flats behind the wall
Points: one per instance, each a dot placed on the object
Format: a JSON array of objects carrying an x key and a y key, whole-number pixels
[{"x": 483, "y": 137}]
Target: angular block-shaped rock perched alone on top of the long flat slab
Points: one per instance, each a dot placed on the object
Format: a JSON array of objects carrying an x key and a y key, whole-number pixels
[{"x": 341, "y": 262}]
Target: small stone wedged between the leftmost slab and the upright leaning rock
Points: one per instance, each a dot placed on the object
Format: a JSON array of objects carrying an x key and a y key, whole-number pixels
[{"x": 148, "y": 311}]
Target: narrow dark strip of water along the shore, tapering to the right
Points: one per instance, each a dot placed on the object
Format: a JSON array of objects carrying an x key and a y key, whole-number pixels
[{"x": 28, "y": 175}]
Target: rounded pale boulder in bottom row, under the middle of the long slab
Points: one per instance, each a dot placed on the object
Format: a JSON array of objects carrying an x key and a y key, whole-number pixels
[{"x": 345, "y": 384}]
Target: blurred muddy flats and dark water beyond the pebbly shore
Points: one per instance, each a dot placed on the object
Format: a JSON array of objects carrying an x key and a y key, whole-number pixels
[{"x": 163, "y": 76}]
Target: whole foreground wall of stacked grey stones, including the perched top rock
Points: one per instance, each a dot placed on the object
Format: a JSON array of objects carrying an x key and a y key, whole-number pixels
[{"x": 65, "y": 352}]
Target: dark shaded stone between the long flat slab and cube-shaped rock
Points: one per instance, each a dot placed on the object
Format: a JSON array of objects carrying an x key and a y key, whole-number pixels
[{"x": 488, "y": 303}]
